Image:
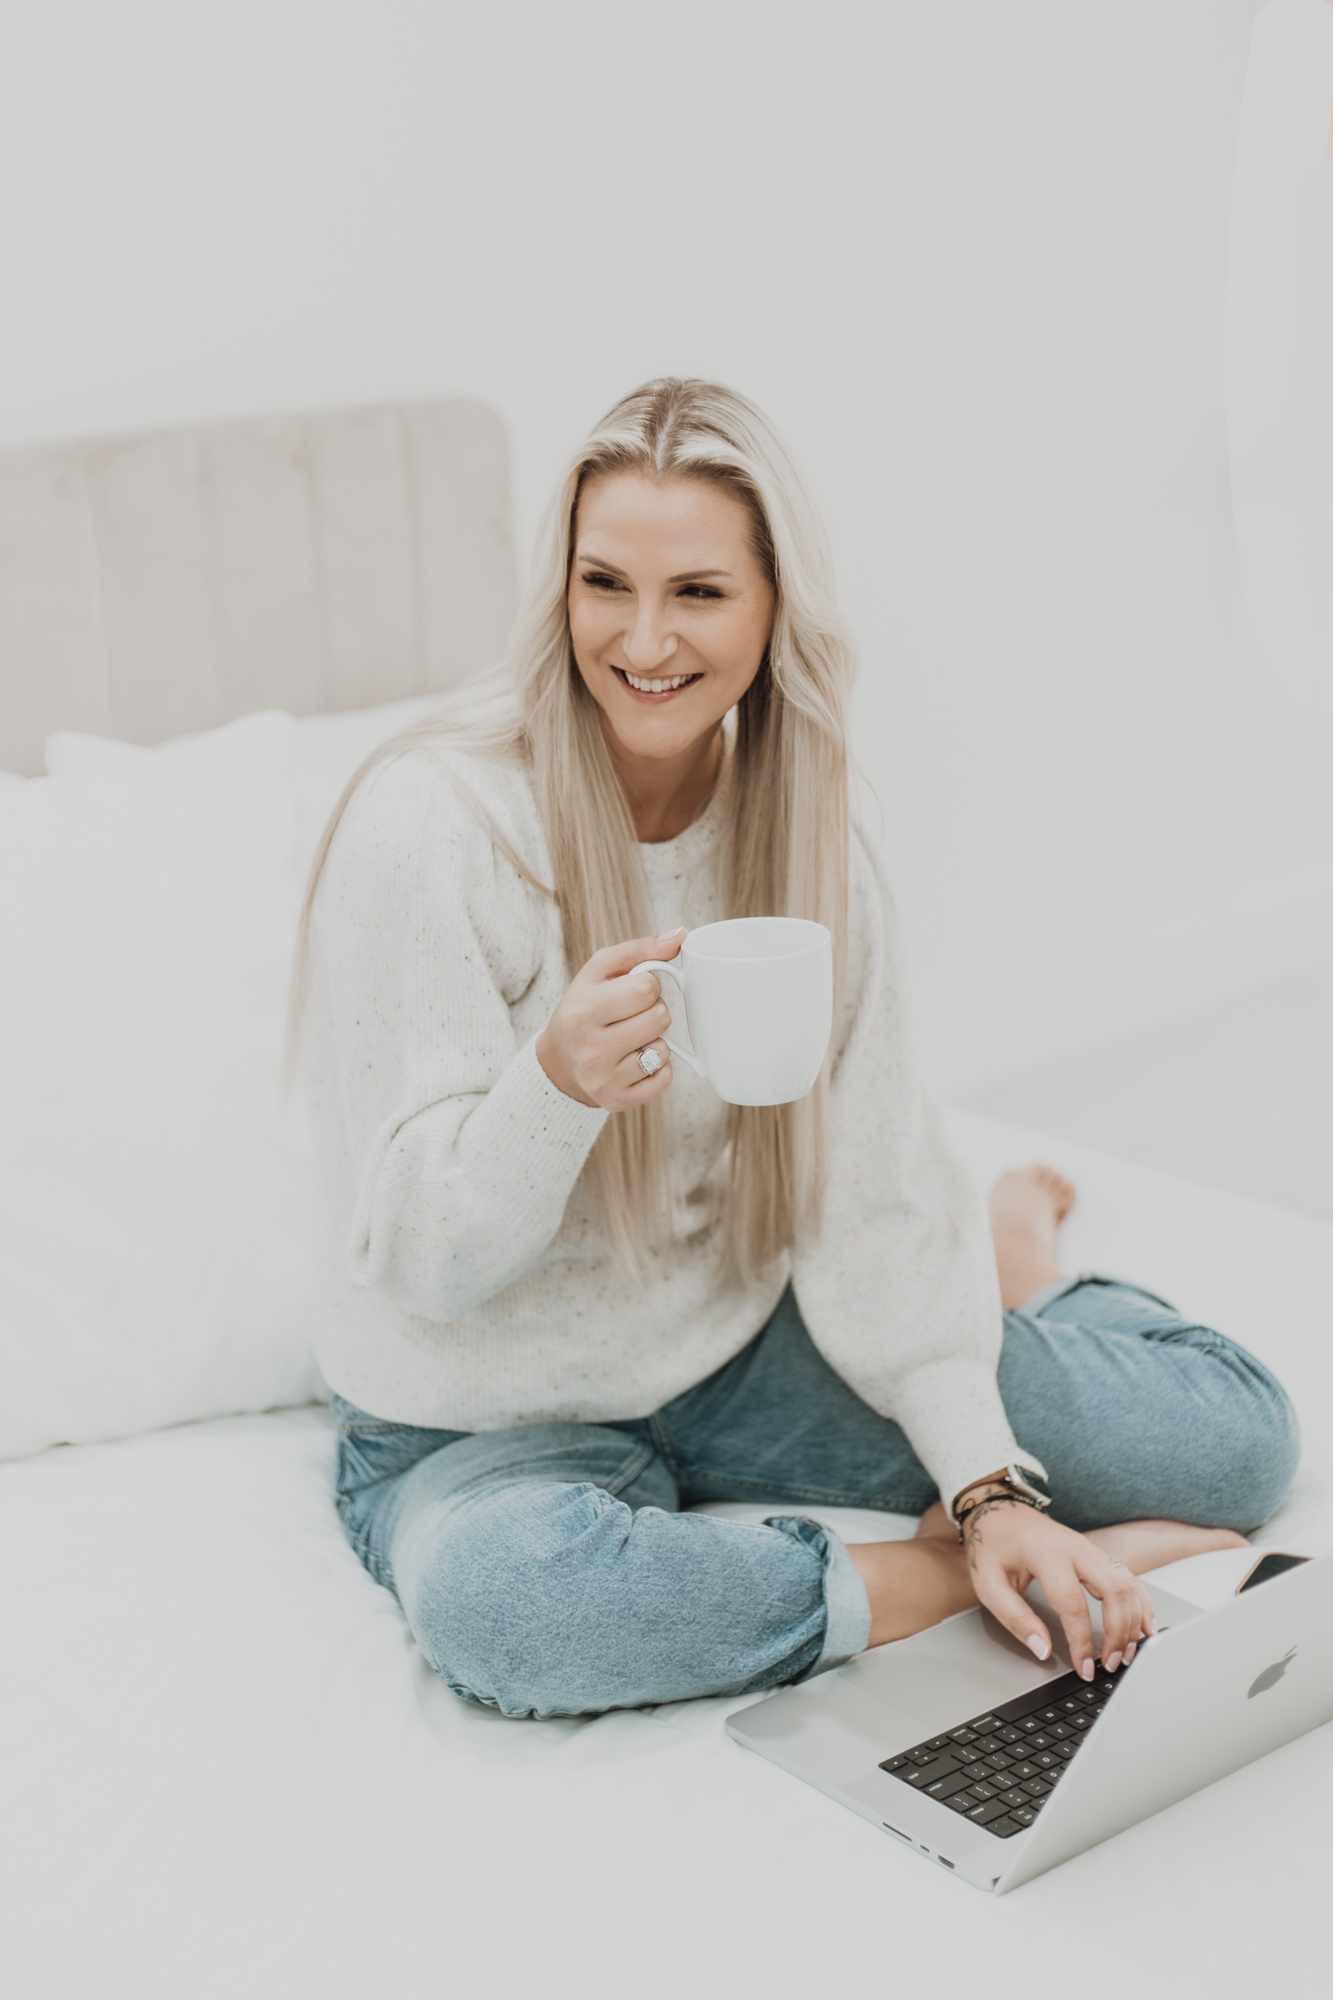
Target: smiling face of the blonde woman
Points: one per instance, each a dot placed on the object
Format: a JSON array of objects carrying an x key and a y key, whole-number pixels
[{"x": 670, "y": 609}]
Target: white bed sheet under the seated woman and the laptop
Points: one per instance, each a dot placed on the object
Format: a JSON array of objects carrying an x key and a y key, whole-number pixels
[{"x": 229, "y": 1771}]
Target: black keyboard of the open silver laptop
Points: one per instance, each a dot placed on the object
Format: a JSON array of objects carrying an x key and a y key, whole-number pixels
[{"x": 1000, "y": 1769}]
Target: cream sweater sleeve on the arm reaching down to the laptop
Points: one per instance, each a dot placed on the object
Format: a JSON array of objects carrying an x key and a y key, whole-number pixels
[{"x": 900, "y": 1293}]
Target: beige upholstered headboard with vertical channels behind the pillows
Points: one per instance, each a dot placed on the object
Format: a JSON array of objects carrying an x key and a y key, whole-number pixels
[{"x": 171, "y": 581}]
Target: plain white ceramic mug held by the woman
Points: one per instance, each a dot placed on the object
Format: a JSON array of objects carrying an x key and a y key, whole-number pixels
[{"x": 758, "y": 1005}]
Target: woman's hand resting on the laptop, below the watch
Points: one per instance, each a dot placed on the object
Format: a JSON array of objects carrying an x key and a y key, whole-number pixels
[{"x": 1010, "y": 1547}]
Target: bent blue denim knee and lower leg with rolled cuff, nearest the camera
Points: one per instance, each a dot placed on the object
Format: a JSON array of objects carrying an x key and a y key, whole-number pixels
[{"x": 549, "y": 1599}]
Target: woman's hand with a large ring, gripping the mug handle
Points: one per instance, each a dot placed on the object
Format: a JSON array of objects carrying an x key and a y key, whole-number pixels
[{"x": 589, "y": 1049}]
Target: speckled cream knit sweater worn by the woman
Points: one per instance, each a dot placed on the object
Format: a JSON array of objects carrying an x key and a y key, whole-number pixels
[{"x": 465, "y": 1281}]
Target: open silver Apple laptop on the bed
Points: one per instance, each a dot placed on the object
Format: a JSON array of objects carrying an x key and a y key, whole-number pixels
[{"x": 986, "y": 1763}]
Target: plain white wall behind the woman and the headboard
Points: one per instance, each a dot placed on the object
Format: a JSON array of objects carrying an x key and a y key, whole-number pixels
[{"x": 968, "y": 253}]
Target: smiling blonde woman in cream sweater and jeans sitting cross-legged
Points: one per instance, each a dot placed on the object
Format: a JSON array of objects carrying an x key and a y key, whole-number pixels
[{"x": 569, "y": 1291}]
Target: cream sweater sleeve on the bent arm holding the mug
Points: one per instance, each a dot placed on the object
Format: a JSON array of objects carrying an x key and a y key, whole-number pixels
[{"x": 467, "y": 1151}]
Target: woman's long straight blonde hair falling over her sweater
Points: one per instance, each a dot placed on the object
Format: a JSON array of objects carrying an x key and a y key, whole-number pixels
[{"x": 786, "y": 827}]
